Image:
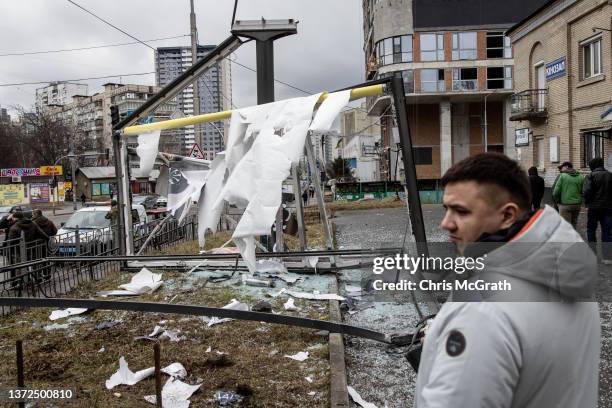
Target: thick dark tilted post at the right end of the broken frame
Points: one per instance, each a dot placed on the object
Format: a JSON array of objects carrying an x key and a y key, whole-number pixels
[{"x": 414, "y": 200}]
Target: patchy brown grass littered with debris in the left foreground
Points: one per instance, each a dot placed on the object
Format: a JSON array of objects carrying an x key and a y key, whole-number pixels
[{"x": 254, "y": 363}]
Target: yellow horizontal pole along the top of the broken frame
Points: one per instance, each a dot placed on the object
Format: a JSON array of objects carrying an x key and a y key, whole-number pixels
[{"x": 356, "y": 93}]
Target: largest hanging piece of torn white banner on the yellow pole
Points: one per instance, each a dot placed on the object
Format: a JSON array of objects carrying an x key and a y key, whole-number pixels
[{"x": 263, "y": 142}]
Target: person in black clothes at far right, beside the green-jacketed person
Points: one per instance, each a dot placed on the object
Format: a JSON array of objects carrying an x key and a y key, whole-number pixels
[{"x": 597, "y": 193}]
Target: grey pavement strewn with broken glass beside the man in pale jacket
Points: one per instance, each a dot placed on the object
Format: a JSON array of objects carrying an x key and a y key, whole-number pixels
[{"x": 381, "y": 374}]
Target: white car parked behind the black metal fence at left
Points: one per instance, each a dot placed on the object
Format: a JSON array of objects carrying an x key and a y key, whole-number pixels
[{"x": 95, "y": 231}]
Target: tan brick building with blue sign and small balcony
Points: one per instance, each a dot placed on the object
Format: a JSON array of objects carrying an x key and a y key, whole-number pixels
[{"x": 562, "y": 105}]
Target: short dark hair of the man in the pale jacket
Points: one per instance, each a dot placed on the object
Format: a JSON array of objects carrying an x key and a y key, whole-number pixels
[{"x": 494, "y": 169}]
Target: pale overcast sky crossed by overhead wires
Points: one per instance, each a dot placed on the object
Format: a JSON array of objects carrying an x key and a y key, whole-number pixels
[{"x": 326, "y": 53}]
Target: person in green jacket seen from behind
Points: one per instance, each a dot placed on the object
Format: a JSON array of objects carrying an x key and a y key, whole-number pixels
[{"x": 567, "y": 193}]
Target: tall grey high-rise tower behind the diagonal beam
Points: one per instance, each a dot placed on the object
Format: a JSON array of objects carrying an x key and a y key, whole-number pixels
[{"x": 214, "y": 88}]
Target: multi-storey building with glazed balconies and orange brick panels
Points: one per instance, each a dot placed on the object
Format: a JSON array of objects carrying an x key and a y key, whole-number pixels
[{"x": 457, "y": 67}]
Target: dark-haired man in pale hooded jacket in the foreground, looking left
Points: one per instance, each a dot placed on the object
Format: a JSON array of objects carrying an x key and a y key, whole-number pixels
[{"x": 535, "y": 346}]
